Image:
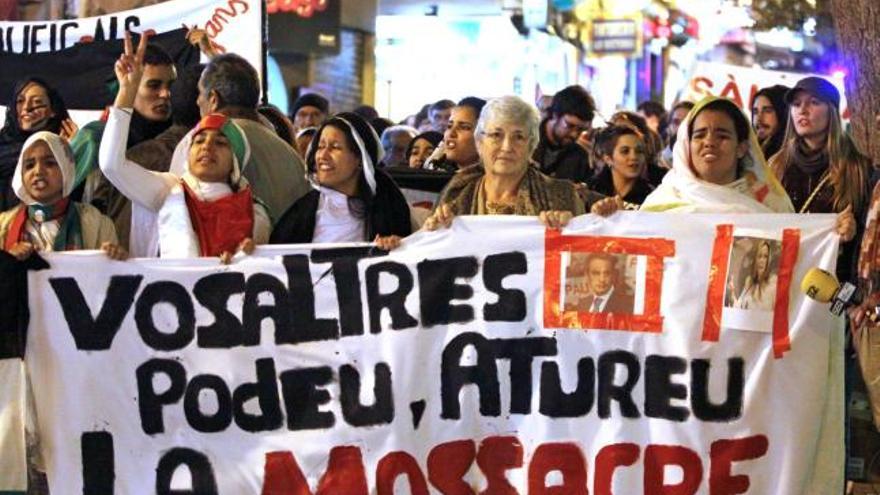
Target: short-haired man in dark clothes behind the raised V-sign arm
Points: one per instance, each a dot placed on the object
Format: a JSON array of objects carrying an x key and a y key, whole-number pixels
[{"x": 151, "y": 116}]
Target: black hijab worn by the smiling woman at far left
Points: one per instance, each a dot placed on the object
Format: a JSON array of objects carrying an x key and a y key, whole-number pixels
[{"x": 12, "y": 137}]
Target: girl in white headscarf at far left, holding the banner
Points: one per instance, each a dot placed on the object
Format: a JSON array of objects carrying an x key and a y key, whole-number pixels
[{"x": 47, "y": 220}]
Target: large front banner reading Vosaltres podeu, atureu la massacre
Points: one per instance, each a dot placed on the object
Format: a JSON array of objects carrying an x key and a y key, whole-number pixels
[{"x": 468, "y": 360}]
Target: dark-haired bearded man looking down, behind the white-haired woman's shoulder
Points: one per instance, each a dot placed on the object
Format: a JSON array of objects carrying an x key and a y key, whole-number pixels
[{"x": 558, "y": 154}]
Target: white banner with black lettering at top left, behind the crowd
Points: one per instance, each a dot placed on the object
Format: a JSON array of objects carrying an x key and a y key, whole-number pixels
[{"x": 234, "y": 26}]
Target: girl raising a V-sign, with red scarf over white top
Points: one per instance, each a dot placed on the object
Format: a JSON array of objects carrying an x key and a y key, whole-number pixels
[{"x": 210, "y": 210}]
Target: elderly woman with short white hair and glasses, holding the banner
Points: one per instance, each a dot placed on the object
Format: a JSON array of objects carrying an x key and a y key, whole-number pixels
[{"x": 505, "y": 183}]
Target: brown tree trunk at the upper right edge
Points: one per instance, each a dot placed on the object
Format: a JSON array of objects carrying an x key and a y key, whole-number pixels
[{"x": 857, "y": 23}]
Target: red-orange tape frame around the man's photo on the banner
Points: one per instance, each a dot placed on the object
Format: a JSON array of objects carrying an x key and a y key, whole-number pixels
[{"x": 654, "y": 248}]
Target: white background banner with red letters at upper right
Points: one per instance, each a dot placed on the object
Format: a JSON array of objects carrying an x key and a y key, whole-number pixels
[{"x": 741, "y": 83}]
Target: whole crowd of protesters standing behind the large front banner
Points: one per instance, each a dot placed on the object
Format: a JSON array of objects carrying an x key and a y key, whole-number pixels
[{"x": 189, "y": 164}]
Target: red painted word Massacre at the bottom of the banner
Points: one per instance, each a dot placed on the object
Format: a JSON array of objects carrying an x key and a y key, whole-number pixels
[{"x": 449, "y": 463}]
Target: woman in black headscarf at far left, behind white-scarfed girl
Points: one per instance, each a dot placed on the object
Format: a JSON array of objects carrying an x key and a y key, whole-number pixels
[{"x": 35, "y": 106}]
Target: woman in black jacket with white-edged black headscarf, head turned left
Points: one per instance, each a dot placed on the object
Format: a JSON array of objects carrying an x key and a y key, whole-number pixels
[{"x": 352, "y": 200}]
